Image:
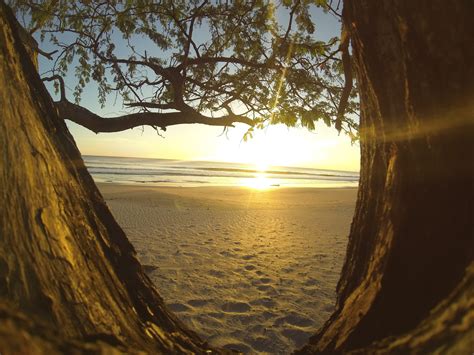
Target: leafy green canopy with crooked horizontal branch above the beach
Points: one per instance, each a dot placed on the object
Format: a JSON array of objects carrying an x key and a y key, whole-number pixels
[{"x": 199, "y": 61}]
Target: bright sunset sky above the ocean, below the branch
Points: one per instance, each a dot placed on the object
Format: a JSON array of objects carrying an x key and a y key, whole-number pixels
[{"x": 275, "y": 145}]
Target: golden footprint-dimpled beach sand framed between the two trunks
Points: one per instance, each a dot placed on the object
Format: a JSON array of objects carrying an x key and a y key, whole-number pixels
[{"x": 255, "y": 271}]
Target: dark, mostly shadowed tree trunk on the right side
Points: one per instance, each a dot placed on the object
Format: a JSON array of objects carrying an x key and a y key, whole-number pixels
[{"x": 411, "y": 240}]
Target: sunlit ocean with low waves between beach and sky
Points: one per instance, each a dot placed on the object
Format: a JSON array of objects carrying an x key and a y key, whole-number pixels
[{"x": 169, "y": 172}]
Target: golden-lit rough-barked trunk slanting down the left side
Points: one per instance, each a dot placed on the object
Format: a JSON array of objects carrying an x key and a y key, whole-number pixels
[{"x": 69, "y": 279}]
